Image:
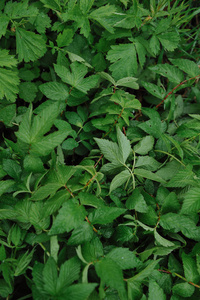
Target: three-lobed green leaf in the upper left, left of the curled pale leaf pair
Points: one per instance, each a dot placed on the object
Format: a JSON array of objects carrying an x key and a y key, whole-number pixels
[{"x": 76, "y": 78}]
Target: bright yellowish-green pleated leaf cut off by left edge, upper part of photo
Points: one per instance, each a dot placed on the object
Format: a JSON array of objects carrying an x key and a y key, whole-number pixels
[{"x": 9, "y": 82}]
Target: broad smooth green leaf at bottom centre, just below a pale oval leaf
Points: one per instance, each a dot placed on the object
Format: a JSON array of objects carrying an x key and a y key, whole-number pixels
[{"x": 110, "y": 274}]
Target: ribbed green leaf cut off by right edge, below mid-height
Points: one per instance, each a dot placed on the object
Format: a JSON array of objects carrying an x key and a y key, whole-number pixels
[{"x": 191, "y": 203}]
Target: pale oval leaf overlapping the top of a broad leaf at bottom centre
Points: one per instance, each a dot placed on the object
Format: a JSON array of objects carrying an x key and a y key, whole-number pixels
[{"x": 124, "y": 258}]
